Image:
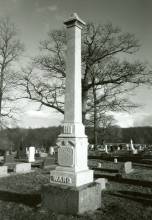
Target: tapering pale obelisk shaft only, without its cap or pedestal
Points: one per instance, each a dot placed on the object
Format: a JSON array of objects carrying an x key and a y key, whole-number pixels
[{"x": 73, "y": 98}]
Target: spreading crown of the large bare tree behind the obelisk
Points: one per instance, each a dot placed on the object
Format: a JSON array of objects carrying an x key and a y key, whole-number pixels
[{"x": 105, "y": 67}]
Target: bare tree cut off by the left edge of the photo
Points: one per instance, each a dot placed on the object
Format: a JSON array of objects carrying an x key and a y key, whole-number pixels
[{"x": 10, "y": 50}]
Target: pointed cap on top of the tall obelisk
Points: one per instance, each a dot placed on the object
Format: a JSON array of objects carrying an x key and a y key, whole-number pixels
[{"x": 74, "y": 20}]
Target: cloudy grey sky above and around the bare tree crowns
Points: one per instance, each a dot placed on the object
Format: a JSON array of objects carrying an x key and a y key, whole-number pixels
[{"x": 35, "y": 17}]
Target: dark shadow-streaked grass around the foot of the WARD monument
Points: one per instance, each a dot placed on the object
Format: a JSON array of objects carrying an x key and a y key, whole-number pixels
[{"x": 20, "y": 197}]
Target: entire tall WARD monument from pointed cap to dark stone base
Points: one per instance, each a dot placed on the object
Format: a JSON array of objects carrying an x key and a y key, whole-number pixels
[{"x": 72, "y": 176}]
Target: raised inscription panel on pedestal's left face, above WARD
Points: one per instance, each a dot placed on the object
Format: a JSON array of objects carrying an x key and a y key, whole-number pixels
[{"x": 66, "y": 156}]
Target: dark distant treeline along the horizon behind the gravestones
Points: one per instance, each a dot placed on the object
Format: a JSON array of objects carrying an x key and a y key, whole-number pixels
[{"x": 20, "y": 137}]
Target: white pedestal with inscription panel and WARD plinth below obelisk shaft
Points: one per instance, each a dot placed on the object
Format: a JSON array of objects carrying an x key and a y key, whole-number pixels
[{"x": 72, "y": 160}]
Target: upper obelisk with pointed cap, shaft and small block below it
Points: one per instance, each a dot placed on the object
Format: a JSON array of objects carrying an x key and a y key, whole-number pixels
[{"x": 73, "y": 94}]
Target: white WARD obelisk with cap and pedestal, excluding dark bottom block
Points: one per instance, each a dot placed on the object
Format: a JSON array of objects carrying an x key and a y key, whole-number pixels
[{"x": 73, "y": 143}]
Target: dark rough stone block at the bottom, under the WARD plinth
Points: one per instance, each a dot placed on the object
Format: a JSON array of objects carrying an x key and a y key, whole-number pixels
[{"x": 71, "y": 200}]
